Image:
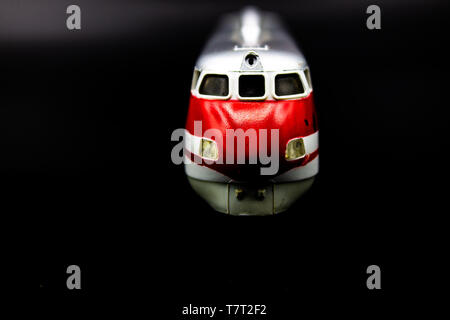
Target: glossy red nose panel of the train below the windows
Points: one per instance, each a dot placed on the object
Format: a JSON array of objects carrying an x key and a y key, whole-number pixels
[{"x": 293, "y": 118}]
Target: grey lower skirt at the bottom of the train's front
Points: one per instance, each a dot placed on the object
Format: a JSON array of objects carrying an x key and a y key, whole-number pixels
[{"x": 266, "y": 198}]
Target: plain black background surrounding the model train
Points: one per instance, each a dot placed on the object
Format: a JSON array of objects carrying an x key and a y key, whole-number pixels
[{"x": 86, "y": 119}]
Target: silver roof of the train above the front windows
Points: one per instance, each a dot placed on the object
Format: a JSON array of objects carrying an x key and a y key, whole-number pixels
[{"x": 250, "y": 32}]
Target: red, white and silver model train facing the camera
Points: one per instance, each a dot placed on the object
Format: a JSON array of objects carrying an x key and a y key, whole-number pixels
[{"x": 250, "y": 82}]
